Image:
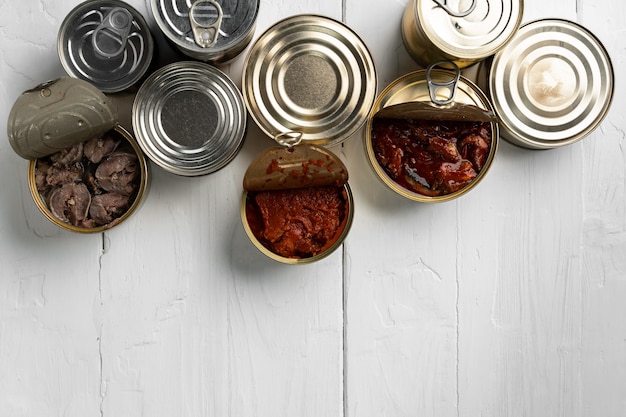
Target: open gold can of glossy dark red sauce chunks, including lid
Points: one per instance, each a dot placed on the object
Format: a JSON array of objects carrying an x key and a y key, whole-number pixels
[{"x": 432, "y": 135}]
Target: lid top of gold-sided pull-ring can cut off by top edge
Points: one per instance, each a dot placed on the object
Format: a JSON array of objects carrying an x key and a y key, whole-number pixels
[{"x": 469, "y": 29}]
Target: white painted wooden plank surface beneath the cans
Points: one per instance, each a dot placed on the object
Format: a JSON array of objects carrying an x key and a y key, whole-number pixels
[{"x": 506, "y": 302}]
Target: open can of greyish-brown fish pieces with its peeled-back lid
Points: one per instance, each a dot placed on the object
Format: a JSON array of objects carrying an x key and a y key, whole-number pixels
[{"x": 86, "y": 173}]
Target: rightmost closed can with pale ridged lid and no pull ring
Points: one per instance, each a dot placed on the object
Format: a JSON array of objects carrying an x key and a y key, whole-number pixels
[{"x": 552, "y": 85}]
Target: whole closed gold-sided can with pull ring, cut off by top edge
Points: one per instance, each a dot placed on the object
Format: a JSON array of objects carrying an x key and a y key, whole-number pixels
[{"x": 461, "y": 31}]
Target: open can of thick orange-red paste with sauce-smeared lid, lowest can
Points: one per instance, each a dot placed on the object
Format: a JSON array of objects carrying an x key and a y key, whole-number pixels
[{"x": 296, "y": 206}]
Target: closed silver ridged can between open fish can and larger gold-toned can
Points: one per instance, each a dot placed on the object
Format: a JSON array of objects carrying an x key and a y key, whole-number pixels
[{"x": 189, "y": 118}]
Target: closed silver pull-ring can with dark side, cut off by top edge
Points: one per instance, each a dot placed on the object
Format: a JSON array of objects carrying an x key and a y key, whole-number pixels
[{"x": 213, "y": 31}]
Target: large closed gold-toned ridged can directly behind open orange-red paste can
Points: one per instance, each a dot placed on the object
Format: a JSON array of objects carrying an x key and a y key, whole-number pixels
[{"x": 310, "y": 74}]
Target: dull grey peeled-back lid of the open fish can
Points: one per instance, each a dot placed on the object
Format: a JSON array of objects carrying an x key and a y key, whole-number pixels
[{"x": 57, "y": 115}]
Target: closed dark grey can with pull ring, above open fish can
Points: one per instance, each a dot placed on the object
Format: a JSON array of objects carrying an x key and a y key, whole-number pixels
[{"x": 105, "y": 42}]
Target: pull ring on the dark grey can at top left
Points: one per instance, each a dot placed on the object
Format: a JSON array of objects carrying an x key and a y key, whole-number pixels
[{"x": 110, "y": 37}]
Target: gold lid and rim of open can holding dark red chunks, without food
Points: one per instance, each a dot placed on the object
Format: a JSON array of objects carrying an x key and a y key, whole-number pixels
[{"x": 440, "y": 95}]
